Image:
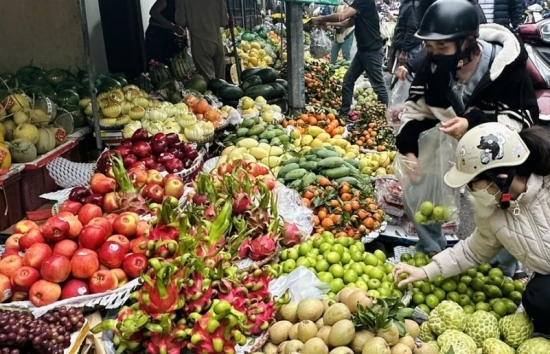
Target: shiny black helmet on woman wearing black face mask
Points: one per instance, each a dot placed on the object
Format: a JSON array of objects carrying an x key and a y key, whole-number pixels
[{"x": 449, "y": 20}]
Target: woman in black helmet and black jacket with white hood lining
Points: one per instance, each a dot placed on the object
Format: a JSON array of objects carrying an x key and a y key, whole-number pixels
[{"x": 471, "y": 76}]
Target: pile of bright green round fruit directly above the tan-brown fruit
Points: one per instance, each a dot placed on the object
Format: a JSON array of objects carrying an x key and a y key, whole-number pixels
[{"x": 342, "y": 262}]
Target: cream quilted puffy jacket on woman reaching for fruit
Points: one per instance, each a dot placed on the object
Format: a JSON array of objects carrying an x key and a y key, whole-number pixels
[{"x": 523, "y": 229}]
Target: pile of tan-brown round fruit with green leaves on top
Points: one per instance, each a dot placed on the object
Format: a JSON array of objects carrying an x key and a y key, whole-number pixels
[{"x": 352, "y": 324}]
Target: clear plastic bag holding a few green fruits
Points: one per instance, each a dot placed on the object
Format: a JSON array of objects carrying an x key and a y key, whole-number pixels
[{"x": 426, "y": 198}]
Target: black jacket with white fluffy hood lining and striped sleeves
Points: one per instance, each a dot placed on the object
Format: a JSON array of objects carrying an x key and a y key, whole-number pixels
[{"x": 504, "y": 94}]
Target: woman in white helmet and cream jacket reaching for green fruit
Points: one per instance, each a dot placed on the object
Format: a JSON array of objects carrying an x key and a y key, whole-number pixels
[{"x": 508, "y": 175}]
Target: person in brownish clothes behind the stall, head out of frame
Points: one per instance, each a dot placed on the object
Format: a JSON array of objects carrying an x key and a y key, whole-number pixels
[{"x": 204, "y": 27}]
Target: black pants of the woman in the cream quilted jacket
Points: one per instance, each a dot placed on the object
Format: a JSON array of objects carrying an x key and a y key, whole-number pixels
[{"x": 536, "y": 304}]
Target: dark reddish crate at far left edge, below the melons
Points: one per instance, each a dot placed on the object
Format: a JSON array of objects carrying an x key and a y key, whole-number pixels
[{"x": 11, "y": 208}]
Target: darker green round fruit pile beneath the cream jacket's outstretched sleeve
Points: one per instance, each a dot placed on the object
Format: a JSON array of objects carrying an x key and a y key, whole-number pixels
[{"x": 482, "y": 288}]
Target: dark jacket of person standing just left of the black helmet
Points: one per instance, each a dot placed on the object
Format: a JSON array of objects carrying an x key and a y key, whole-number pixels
[{"x": 407, "y": 25}]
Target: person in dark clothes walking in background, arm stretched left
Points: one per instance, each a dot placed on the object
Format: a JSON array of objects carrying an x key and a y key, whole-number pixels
[{"x": 369, "y": 56}]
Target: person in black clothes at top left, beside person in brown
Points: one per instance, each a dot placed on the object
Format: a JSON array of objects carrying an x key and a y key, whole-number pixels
[{"x": 161, "y": 42}]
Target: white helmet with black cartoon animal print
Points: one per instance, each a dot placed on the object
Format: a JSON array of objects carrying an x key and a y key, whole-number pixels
[{"x": 486, "y": 147}]
